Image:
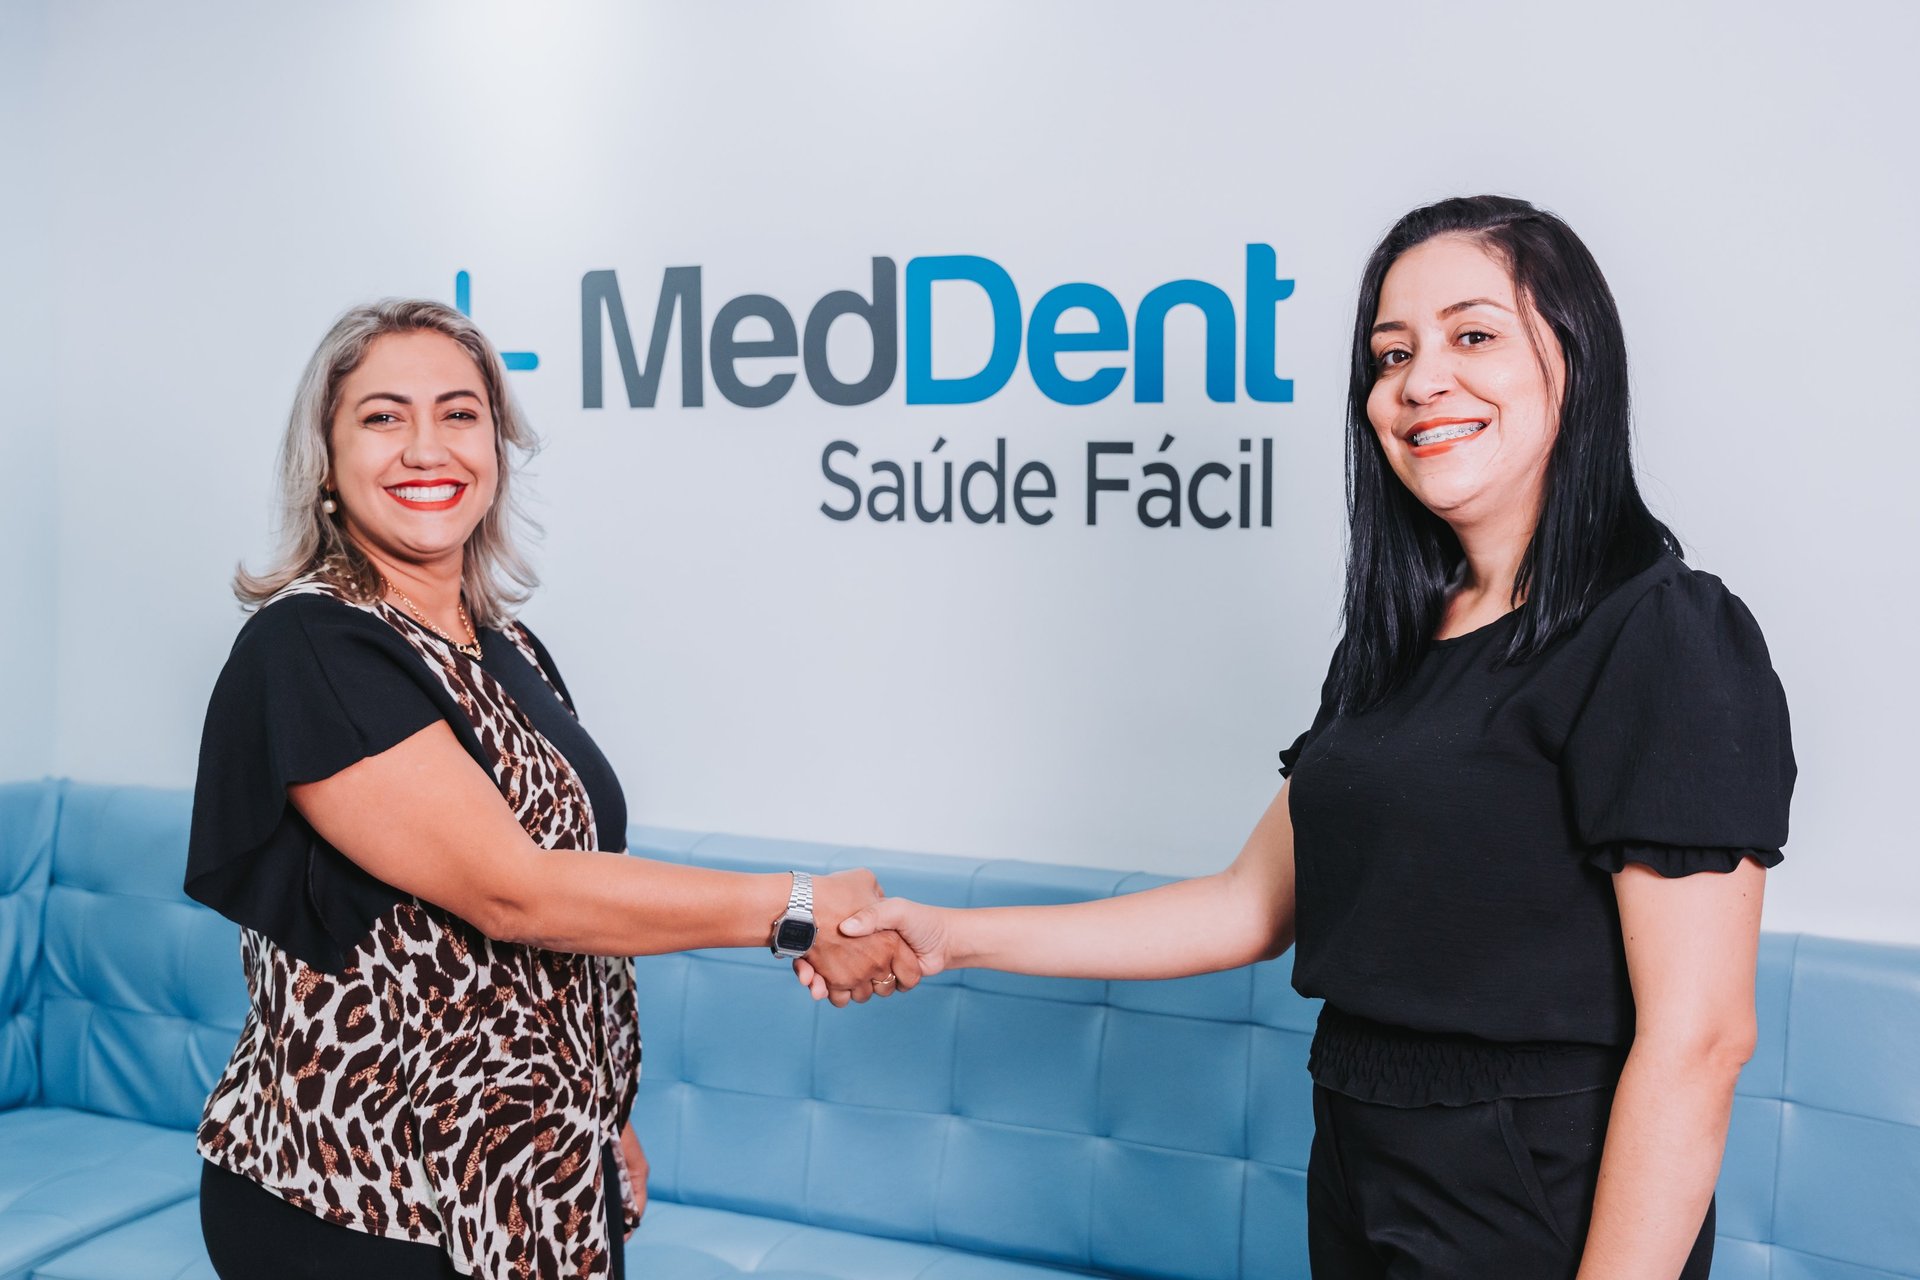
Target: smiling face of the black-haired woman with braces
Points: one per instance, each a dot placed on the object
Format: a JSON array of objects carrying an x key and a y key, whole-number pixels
[{"x": 1468, "y": 383}]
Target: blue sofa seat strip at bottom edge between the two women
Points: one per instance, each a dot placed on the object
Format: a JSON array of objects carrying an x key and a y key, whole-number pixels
[{"x": 692, "y": 1243}]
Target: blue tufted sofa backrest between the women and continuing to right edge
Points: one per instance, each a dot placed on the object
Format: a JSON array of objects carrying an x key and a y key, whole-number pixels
[{"x": 1163, "y": 1129}]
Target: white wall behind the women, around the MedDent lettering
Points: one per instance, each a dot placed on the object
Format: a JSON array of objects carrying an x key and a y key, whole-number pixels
[{"x": 226, "y": 179}]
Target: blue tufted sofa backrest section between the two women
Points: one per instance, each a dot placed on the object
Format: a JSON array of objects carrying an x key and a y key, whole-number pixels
[{"x": 1151, "y": 1129}]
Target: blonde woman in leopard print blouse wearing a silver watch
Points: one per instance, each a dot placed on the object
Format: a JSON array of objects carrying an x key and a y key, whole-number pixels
[{"x": 425, "y": 851}]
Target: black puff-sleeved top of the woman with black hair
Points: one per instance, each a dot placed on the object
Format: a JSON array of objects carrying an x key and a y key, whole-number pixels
[{"x": 1454, "y": 845}]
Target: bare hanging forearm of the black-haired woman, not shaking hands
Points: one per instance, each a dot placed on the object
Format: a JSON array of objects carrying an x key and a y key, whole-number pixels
[{"x": 1666, "y": 1141}]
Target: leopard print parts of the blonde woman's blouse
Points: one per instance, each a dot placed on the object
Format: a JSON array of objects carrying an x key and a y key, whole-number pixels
[{"x": 444, "y": 1087}]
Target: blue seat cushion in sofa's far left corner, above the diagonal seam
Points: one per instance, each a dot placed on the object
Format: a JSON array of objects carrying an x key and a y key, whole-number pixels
[{"x": 70, "y": 1175}]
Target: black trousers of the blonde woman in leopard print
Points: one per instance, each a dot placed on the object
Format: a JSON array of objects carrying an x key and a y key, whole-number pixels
[{"x": 254, "y": 1235}]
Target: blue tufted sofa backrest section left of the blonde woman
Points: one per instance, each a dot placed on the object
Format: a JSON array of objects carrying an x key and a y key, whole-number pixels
[{"x": 141, "y": 989}]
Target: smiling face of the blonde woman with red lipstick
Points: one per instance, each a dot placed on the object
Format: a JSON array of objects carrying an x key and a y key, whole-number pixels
[{"x": 414, "y": 458}]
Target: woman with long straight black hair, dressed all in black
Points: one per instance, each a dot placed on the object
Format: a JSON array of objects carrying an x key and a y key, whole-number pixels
[{"x": 1524, "y": 843}]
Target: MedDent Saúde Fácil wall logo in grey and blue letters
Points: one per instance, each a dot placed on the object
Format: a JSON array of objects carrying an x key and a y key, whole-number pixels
[{"x": 1174, "y": 490}]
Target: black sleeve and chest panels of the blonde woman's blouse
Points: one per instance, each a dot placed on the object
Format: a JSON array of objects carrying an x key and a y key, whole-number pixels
[{"x": 310, "y": 688}]
